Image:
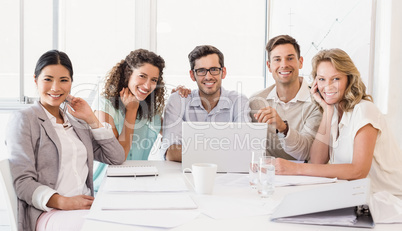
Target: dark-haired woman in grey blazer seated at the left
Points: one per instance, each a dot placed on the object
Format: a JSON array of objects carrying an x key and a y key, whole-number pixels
[{"x": 52, "y": 153}]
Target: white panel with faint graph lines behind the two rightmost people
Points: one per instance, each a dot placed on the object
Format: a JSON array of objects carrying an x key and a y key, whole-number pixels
[{"x": 317, "y": 25}]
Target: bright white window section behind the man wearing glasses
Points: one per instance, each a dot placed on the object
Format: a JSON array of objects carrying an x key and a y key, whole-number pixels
[{"x": 236, "y": 28}]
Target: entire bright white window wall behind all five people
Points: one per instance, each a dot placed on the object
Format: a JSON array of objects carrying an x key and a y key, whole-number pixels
[{"x": 97, "y": 34}]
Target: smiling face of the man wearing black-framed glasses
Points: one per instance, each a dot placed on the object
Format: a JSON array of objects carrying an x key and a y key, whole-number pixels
[{"x": 209, "y": 85}]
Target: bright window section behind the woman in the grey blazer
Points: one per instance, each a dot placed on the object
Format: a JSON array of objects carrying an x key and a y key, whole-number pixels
[{"x": 95, "y": 40}]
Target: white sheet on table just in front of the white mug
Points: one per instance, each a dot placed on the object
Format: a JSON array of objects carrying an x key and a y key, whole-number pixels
[{"x": 219, "y": 207}]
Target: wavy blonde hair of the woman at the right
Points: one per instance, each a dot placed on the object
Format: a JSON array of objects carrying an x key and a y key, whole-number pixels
[{"x": 355, "y": 90}]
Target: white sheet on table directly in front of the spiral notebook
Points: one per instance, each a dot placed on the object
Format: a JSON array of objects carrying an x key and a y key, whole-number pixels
[{"x": 145, "y": 184}]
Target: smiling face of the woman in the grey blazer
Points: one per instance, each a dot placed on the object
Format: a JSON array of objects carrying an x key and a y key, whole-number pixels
[{"x": 54, "y": 85}]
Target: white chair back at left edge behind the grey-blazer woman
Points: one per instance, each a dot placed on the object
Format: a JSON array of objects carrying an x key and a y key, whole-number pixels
[{"x": 11, "y": 196}]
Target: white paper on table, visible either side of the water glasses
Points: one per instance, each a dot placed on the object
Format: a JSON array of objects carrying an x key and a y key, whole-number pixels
[{"x": 241, "y": 180}]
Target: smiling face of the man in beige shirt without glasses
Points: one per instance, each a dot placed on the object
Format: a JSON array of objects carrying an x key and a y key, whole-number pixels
[{"x": 284, "y": 64}]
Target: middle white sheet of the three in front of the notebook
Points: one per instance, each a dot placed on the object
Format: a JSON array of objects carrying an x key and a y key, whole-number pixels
[{"x": 151, "y": 201}]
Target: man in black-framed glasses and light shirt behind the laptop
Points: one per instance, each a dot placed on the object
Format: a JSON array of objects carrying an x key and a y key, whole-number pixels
[{"x": 209, "y": 103}]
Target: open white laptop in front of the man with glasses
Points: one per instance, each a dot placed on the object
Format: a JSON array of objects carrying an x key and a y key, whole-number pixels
[{"x": 227, "y": 144}]
